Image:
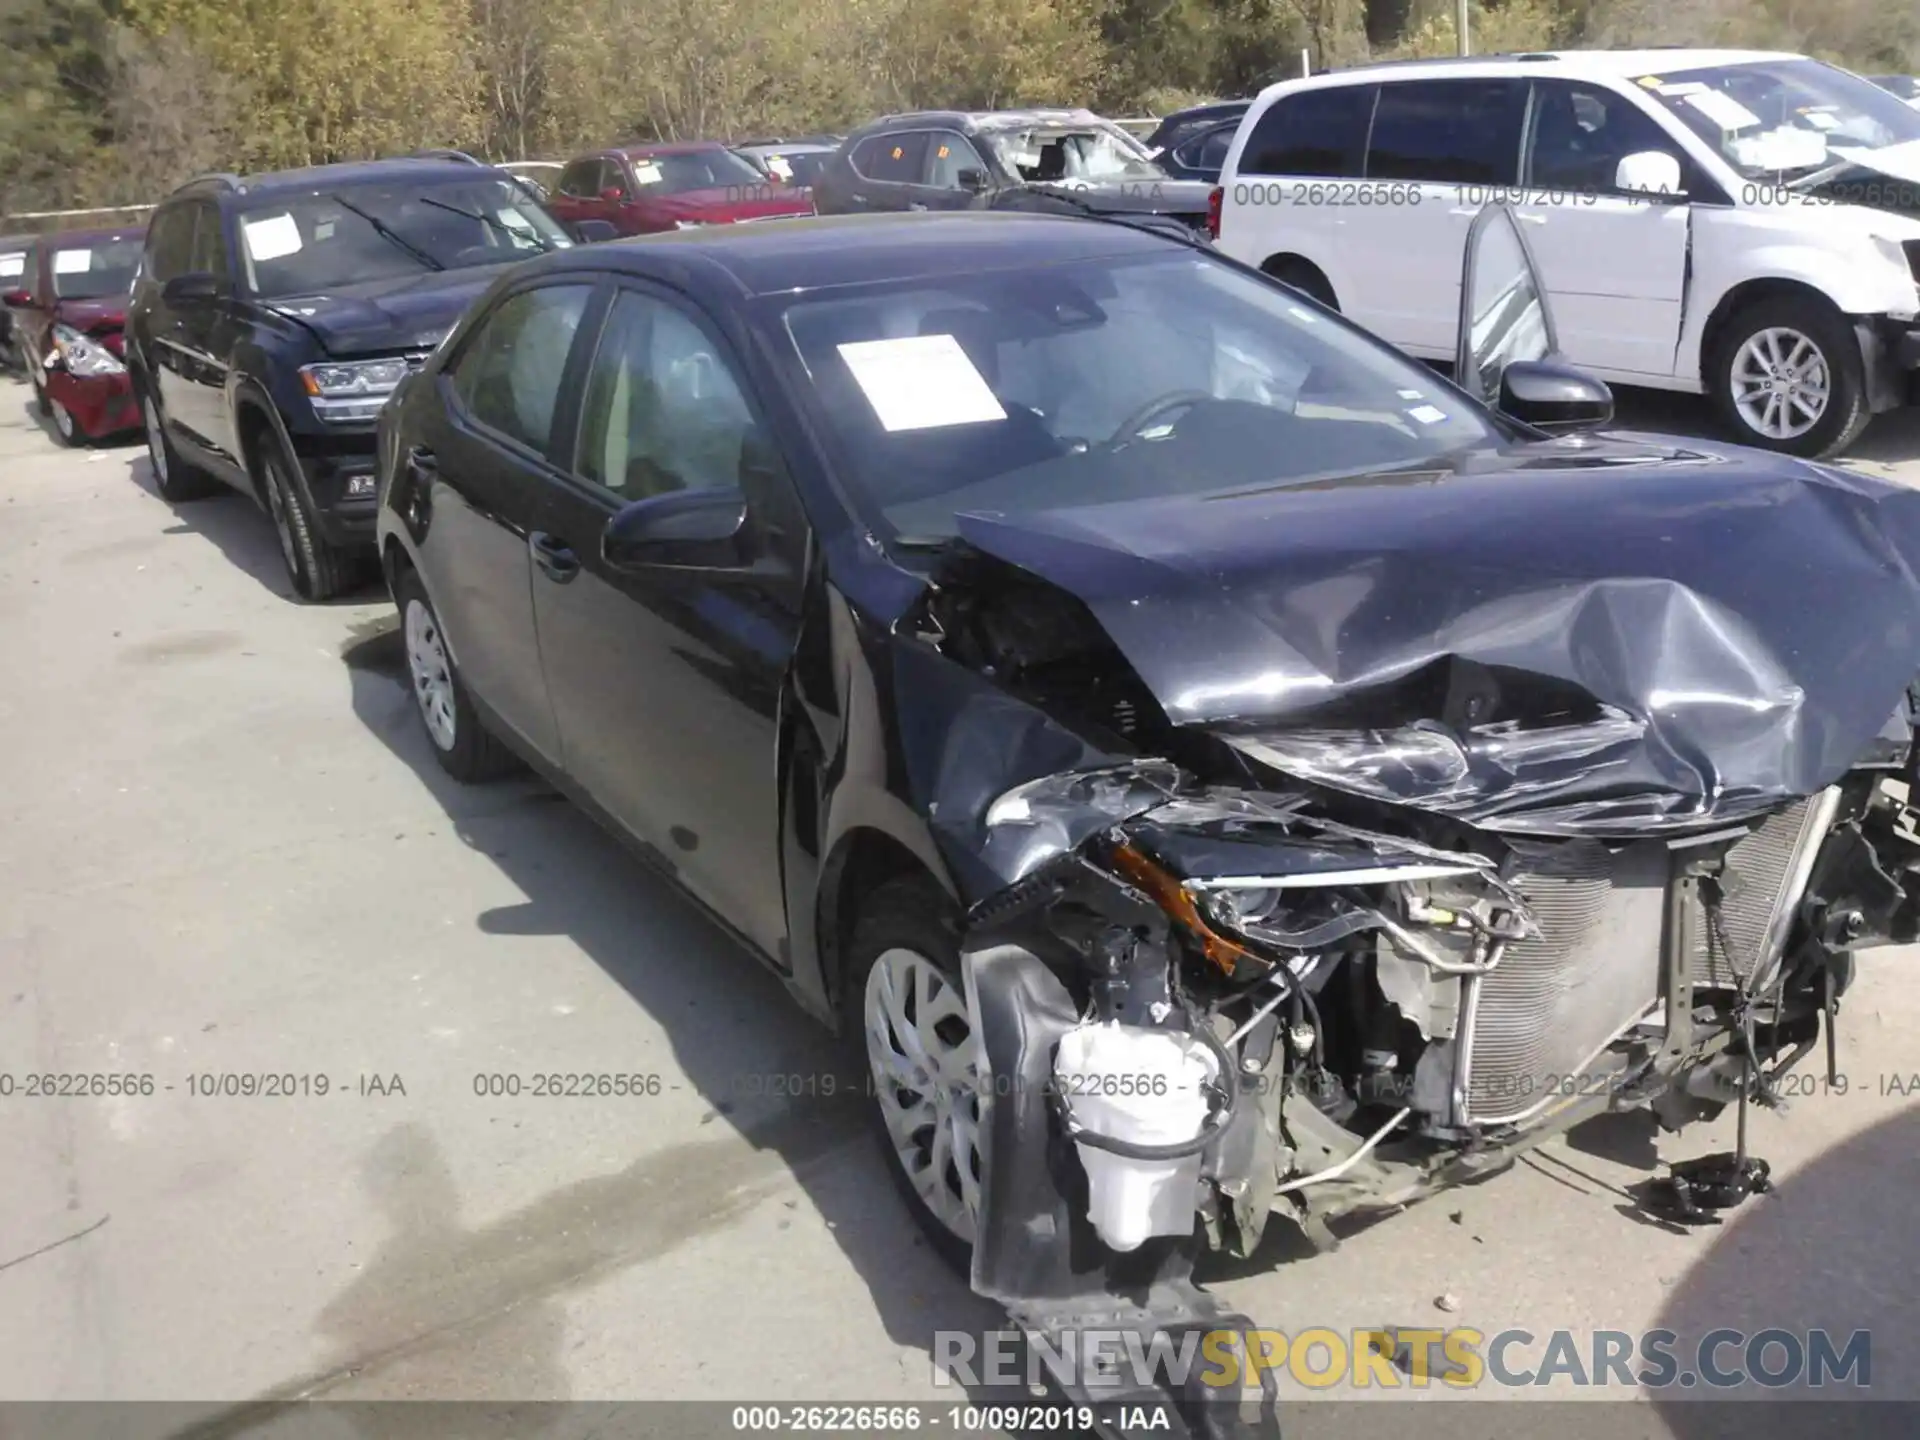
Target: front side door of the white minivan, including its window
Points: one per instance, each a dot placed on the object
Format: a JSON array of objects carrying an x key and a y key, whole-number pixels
[{"x": 1614, "y": 262}]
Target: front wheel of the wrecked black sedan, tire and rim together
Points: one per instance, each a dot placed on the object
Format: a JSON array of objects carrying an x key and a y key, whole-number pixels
[{"x": 905, "y": 1022}]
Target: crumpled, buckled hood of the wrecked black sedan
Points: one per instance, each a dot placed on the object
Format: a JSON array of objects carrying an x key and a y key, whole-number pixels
[{"x": 1629, "y": 642}]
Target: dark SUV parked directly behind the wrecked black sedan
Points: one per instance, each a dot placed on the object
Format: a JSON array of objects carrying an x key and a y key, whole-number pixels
[{"x": 274, "y": 318}]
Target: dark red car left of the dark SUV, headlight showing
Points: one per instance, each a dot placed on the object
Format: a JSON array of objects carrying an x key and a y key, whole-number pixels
[{"x": 70, "y": 310}]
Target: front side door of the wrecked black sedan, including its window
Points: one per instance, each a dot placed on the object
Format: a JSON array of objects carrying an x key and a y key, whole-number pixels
[{"x": 667, "y": 679}]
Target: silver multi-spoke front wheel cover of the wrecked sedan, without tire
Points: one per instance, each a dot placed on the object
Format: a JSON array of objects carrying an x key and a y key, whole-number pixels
[{"x": 926, "y": 1080}]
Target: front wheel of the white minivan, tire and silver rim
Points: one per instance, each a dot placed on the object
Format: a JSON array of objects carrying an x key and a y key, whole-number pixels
[{"x": 1808, "y": 348}]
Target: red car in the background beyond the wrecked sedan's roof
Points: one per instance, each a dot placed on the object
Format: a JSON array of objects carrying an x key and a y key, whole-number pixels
[{"x": 671, "y": 187}]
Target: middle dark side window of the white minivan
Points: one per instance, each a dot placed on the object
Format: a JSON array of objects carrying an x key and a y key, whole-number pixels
[{"x": 1449, "y": 132}]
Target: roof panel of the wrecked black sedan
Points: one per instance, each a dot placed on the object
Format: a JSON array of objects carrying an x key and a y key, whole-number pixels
[{"x": 815, "y": 252}]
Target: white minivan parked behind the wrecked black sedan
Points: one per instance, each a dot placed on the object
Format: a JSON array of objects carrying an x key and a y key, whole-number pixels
[{"x": 1723, "y": 222}]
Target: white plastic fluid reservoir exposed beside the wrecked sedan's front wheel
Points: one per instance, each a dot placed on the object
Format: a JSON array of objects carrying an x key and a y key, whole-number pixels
[{"x": 1143, "y": 1088}]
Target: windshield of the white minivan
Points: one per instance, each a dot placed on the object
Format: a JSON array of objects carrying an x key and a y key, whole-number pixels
[{"x": 1785, "y": 118}]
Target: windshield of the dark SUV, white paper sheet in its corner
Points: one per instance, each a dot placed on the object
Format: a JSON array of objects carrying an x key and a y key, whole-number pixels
[{"x": 335, "y": 237}]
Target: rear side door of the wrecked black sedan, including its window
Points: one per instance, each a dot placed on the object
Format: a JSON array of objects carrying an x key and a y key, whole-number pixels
[{"x": 487, "y": 464}]
